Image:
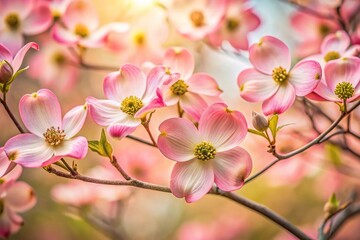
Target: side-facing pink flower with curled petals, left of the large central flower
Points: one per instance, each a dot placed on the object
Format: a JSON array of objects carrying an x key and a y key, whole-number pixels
[{"x": 131, "y": 95}]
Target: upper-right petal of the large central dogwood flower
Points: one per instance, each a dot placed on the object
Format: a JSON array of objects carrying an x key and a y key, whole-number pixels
[{"x": 224, "y": 128}]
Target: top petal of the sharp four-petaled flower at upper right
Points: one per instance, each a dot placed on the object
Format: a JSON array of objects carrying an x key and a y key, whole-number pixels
[{"x": 268, "y": 54}]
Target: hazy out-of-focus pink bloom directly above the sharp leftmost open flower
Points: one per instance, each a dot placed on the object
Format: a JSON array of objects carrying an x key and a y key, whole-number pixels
[{"x": 56, "y": 71}]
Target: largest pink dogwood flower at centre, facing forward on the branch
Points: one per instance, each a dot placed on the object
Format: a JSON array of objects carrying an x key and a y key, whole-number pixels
[{"x": 207, "y": 154}]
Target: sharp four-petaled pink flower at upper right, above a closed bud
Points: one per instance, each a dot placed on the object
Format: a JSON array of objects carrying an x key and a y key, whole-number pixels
[{"x": 272, "y": 81}]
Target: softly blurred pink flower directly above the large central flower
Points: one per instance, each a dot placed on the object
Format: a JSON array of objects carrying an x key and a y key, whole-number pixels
[{"x": 192, "y": 91}]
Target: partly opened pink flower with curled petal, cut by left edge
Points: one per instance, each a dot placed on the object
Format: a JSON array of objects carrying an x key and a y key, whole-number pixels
[{"x": 10, "y": 65}]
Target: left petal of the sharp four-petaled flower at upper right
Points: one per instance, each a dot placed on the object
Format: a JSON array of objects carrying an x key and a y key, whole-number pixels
[{"x": 255, "y": 86}]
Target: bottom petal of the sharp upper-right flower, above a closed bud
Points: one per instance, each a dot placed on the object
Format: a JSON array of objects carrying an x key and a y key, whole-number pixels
[{"x": 282, "y": 100}]
